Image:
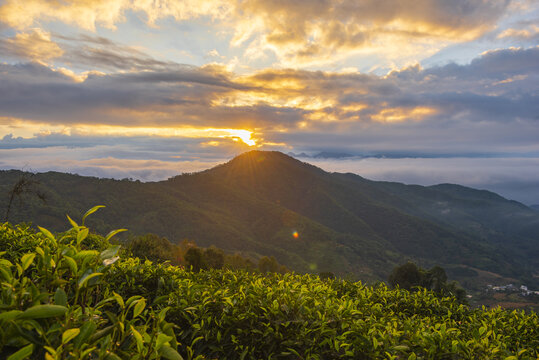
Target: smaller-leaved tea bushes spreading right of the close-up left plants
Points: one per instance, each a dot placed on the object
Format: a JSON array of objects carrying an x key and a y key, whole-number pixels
[{"x": 229, "y": 314}]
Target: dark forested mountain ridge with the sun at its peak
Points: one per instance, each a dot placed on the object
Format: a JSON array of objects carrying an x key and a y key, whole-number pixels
[{"x": 345, "y": 223}]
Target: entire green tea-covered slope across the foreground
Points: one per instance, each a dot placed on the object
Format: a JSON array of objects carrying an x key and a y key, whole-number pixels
[{"x": 73, "y": 296}]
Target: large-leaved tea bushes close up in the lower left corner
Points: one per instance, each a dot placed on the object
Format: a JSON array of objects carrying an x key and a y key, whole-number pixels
[{"x": 55, "y": 305}]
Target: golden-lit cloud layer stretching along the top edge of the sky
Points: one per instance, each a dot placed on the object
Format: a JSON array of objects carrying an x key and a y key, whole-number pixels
[{"x": 299, "y": 33}]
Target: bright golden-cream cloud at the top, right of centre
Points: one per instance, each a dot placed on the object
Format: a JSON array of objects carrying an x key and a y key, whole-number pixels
[{"x": 322, "y": 31}]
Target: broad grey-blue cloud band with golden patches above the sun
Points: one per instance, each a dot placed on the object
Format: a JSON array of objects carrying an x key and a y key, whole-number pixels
[{"x": 489, "y": 106}]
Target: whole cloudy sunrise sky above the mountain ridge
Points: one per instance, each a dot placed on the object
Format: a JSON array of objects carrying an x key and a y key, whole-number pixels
[{"x": 415, "y": 91}]
